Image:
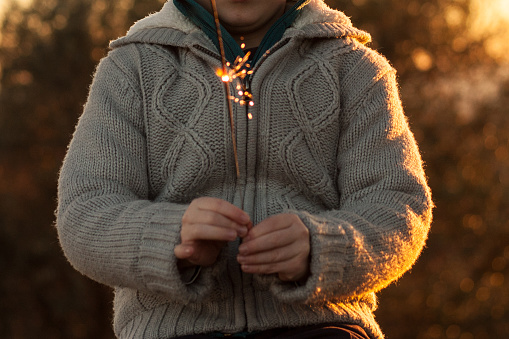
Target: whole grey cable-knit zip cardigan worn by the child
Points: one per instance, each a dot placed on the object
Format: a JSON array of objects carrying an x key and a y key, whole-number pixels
[{"x": 328, "y": 141}]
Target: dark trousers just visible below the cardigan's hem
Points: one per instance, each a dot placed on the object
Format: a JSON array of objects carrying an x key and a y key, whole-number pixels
[{"x": 336, "y": 331}]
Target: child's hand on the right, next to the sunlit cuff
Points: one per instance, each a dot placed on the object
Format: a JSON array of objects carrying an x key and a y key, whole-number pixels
[{"x": 279, "y": 244}]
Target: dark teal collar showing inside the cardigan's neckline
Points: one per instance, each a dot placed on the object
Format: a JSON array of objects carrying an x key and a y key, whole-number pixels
[{"x": 203, "y": 19}]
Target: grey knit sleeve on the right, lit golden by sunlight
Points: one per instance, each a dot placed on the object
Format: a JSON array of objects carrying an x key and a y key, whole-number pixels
[{"x": 385, "y": 211}]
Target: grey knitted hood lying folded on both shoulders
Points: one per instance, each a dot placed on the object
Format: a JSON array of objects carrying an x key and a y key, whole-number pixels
[{"x": 316, "y": 20}]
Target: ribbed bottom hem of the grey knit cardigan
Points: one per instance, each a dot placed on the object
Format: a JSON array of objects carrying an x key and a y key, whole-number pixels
[{"x": 173, "y": 319}]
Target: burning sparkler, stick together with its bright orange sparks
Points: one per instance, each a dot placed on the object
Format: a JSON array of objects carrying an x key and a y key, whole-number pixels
[{"x": 228, "y": 75}]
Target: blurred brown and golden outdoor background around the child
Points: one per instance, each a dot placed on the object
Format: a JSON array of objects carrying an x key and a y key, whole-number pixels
[{"x": 453, "y": 65}]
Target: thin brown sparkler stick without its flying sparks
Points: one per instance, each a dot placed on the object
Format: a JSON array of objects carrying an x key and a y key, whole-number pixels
[{"x": 225, "y": 77}]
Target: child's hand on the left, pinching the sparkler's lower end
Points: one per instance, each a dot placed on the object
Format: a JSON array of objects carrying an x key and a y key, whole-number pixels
[{"x": 207, "y": 225}]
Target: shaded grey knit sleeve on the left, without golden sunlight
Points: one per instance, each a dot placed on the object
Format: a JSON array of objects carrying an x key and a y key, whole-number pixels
[{"x": 107, "y": 226}]
